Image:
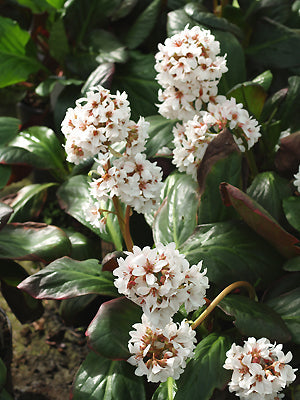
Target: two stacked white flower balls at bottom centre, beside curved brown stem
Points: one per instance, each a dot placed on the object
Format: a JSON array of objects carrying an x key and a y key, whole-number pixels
[{"x": 160, "y": 280}]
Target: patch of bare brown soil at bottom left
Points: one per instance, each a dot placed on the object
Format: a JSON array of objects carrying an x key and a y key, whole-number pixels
[{"x": 46, "y": 355}]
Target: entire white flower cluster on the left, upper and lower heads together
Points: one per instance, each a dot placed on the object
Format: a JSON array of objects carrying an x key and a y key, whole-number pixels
[{"x": 97, "y": 123}]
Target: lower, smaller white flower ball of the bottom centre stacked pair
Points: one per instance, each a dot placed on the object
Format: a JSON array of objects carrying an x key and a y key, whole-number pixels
[{"x": 160, "y": 353}]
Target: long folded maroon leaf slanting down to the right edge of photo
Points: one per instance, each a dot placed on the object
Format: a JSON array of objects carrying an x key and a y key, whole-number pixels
[{"x": 260, "y": 220}]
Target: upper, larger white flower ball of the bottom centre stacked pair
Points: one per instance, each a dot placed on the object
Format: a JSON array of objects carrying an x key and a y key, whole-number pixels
[{"x": 160, "y": 280}]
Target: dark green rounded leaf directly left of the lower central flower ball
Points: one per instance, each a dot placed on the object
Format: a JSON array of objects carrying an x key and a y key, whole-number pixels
[{"x": 108, "y": 333}]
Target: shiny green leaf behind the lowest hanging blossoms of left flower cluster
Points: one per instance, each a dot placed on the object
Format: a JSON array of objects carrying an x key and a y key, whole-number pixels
[{"x": 74, "y": 197}]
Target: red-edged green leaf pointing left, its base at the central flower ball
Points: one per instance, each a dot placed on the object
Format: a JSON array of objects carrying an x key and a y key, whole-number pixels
[{"x": 65, "y": 278}]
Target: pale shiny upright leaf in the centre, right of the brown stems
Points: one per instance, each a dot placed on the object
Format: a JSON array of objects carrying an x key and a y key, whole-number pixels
[{"x": 174, "y": 221}]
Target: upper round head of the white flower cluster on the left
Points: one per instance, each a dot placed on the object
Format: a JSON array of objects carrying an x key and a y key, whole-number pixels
[{"x": 98, "y": 120}]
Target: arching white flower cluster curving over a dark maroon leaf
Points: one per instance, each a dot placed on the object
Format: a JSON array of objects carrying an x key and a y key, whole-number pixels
[{"x": 192, "y": 137}]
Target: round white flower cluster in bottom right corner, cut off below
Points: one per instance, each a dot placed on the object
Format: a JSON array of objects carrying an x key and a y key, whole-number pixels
[{"x": 260, "y": 370}]
